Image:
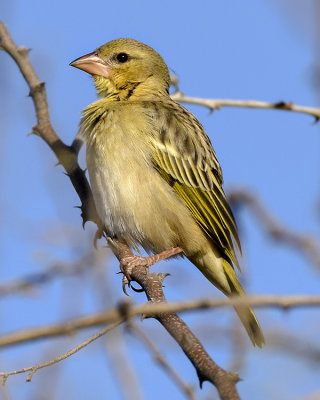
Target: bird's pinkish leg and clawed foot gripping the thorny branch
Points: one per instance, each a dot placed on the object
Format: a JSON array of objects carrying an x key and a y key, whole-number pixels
[{"x": 128, "y": 263}]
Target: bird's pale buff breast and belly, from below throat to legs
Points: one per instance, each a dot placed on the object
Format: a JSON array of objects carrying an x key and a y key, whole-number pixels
[{"x": 133, "y": 201}]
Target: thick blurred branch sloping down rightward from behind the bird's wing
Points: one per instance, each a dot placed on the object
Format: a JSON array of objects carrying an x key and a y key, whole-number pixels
[{"x": 304, "y": 243}]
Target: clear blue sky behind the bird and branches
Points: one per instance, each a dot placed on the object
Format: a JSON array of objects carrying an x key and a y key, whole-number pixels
[{"x": 253, "y": 49}]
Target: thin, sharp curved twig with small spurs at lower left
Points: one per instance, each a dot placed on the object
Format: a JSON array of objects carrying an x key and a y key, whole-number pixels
[{"x": 35, "y": 368}]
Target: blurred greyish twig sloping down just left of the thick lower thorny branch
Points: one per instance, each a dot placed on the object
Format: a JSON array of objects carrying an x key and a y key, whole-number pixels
[{"x": 161, "y": 360}]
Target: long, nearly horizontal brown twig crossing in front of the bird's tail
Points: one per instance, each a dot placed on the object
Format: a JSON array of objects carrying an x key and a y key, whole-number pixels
[{"x": 150, "y": 310}]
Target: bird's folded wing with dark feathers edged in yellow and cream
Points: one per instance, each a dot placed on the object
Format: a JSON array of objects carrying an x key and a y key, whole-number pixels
[{"x": 184, "y": 157}]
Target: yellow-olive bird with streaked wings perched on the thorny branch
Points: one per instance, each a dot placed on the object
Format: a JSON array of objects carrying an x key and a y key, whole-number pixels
[{"x": 155, "y": 177}]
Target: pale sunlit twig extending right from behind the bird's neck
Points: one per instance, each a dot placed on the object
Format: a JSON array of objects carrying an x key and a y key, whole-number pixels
[{"x": 217, "y": 104}]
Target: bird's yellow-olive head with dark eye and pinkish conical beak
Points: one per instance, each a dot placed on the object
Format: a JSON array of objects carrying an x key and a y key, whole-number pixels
[{"x": 126, "y": 69}]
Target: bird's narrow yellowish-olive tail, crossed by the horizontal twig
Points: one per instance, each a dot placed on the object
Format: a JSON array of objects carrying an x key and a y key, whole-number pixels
[{"x": 245, "y": 313}]
